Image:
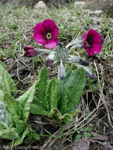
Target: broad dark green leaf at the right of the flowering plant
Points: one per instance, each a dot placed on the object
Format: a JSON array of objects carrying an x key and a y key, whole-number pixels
[{"x": 75, "y": 84}]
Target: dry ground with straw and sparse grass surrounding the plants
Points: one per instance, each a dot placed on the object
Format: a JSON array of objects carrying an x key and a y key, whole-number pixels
[{"x": 93, "y": 128}]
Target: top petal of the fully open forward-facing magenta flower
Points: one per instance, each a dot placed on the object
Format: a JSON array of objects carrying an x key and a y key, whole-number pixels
[{"x": 48, "y": 25}]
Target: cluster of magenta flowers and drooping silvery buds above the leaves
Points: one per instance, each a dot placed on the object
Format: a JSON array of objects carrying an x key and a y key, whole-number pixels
[{"x": 46, "y": 33}]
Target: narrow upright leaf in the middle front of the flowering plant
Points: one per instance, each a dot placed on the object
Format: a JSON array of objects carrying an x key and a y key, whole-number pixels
[{"x": 52, "y": 95}]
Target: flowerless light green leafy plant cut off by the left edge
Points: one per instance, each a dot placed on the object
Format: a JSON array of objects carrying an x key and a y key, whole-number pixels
[{"x": 14, "y": 112}]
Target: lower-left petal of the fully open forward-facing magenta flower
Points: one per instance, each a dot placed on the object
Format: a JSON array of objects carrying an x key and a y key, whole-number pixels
[{"x": 39, "y": 38}]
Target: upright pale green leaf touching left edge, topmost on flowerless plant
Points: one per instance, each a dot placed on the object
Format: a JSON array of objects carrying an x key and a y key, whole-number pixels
[{"x": 7, "y": 84}]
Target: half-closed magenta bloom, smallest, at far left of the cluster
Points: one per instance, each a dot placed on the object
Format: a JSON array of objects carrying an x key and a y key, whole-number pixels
[{"x": 30, "y": 52}]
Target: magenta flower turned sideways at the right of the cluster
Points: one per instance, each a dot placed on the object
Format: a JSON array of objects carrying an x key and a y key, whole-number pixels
[{"x": 92, "y": 42}]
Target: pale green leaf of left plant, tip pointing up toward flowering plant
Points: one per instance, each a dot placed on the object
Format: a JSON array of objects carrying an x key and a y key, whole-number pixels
[{"x": 25, "y": 100}]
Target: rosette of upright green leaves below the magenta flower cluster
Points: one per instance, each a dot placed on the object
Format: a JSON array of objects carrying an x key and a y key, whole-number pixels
[{"x": 57, "y": 99}]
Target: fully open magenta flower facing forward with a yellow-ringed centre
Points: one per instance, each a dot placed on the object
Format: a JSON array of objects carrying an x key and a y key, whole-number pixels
[{"x": 46, "y": 33}]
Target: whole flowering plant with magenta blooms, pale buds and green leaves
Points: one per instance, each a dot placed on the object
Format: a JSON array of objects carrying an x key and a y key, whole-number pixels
[{"x": 57, "y": 98}]
